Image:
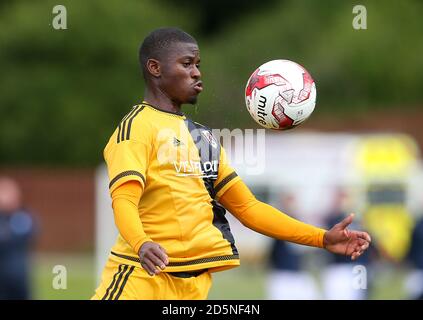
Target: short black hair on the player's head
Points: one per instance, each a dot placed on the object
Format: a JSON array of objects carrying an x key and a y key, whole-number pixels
[{"x": 157, "y": 43}]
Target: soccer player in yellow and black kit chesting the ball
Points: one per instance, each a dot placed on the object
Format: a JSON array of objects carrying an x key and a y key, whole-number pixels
[{"x": 170, "y": 183}]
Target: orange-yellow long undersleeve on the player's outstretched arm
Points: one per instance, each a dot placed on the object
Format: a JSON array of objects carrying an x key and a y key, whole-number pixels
[{"x": 267, "y": 220}]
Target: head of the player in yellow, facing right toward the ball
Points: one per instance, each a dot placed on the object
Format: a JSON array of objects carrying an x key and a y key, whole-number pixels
[{"x": 169, "y": 59}]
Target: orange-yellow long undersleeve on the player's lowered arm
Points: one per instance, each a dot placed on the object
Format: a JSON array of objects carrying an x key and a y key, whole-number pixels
[{"x": 125, "y": 201}]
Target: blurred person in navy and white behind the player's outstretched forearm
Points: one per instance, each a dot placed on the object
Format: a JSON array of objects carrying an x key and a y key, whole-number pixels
[{"x": 288, "y": 278}]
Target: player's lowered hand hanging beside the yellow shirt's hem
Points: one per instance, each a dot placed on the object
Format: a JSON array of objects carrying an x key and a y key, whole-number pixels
[{"x": 153, "y": 256}]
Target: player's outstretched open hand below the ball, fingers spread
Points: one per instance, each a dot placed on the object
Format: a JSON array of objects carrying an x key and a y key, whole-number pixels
[{"x": 340, "y": 240}]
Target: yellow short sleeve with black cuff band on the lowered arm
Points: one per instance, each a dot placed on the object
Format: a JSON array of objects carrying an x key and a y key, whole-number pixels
[{"x": 129, "y": 159}]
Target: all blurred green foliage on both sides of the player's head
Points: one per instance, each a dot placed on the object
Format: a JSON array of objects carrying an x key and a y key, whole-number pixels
[{"x": 62, "y": 92}]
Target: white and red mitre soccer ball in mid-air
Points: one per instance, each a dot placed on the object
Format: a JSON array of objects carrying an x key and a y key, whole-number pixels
[{"x": 280, "y": 95}]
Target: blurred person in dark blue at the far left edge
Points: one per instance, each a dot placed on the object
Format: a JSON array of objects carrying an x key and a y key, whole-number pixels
[{"x": 16, "y": 231}]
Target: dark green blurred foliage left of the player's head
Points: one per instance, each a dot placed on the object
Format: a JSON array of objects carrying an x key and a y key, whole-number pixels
[{"x": 62, "y": 92}]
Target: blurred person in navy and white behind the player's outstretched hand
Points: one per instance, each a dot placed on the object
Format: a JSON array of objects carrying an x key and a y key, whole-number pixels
[{"x": 338, "y": 276}]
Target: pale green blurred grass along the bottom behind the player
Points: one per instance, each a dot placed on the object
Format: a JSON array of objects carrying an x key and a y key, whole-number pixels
[{"x": 243, "y": 283}]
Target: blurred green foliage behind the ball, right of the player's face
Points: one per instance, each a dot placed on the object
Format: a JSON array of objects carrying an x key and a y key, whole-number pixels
[{"x": 355, "y": 70}]
